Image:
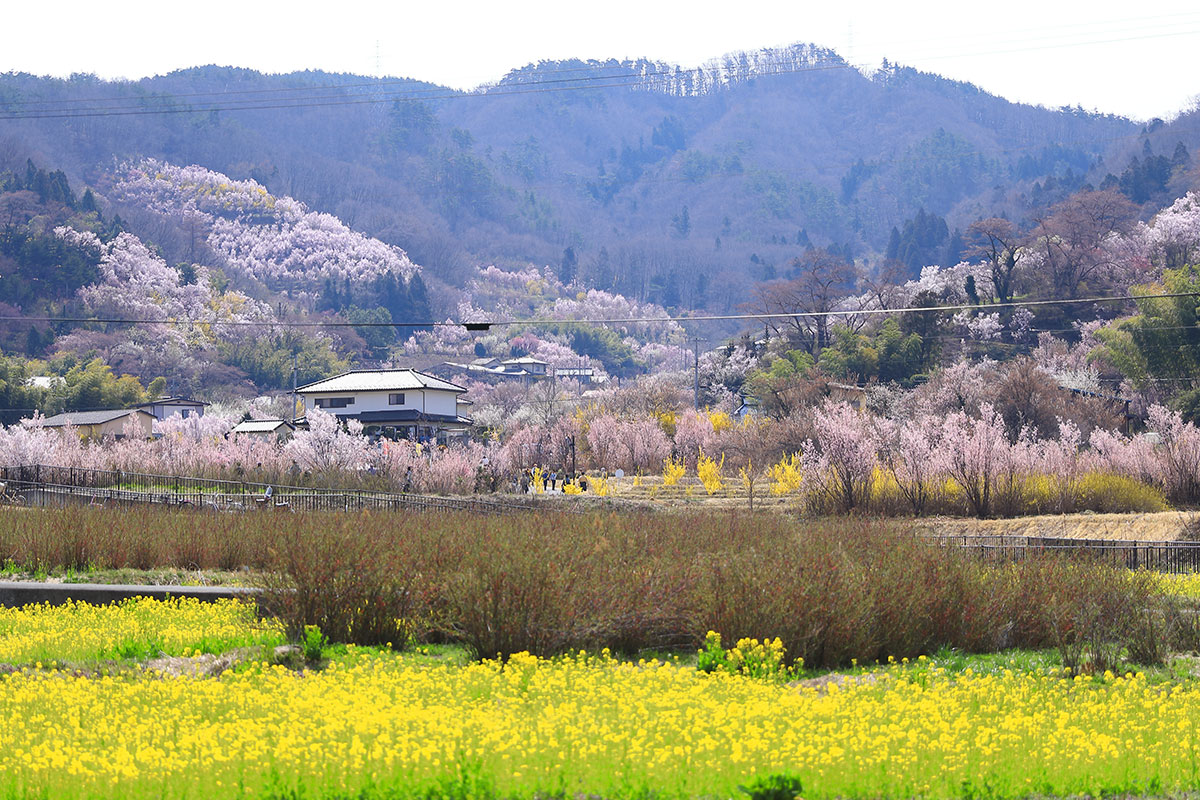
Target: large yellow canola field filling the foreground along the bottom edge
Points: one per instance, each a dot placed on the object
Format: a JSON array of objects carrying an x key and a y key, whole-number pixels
[{"x": 589, "y": 725}]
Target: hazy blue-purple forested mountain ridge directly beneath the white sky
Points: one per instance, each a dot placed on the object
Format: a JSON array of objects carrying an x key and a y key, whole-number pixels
[{"x": 631, "y": 177}]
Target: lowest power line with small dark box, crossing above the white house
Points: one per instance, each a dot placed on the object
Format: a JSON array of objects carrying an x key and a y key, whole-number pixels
[{"x": 483, "y": 326}]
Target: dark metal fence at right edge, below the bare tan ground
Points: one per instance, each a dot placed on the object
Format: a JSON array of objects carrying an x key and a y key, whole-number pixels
[{"x": 1161, "y": 557}]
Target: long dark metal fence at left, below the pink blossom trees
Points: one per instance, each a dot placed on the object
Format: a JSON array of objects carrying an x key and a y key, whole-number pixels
[{"x": 43, "y": 485}]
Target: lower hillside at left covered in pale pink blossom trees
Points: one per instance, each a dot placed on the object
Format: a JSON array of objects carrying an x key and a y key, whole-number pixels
[{"x": 218, "y": 266}]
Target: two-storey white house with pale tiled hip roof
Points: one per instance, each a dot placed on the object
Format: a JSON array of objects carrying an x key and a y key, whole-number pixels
[{"x": 404, "y": 402}]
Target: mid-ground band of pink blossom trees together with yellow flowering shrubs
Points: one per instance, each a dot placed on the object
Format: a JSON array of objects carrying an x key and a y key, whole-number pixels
[{"x": 926, "y": 464}]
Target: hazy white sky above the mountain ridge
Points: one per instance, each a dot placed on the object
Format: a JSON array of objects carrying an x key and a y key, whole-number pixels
[{"x": 1105, "y": 56}]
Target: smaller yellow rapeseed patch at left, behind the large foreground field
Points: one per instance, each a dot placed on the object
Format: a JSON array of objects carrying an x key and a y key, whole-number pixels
[{"x": 136, "y": 629}]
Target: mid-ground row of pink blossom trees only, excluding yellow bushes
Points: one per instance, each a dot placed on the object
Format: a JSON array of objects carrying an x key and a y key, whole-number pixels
[{"x": 848, "y": 452}]
